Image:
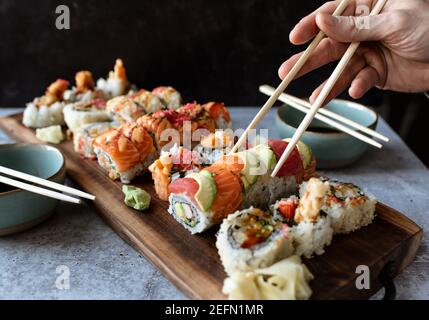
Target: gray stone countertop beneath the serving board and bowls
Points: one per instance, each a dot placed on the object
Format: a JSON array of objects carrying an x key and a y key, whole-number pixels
[{"x": 102, "y": 266}]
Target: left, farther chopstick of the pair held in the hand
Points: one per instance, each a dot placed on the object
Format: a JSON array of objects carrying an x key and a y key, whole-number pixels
[{"x": 290, "y": 76}]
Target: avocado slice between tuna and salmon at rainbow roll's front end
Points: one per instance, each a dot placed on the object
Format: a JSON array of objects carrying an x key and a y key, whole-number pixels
[{"x": 207, "y": 191}]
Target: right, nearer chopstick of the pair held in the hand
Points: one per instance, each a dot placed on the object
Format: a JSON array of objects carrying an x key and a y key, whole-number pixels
[{"x": 323, "y": 94}]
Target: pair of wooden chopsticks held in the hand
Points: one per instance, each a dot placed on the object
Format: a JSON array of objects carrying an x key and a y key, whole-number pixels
[{"x": 321, "y": 97}]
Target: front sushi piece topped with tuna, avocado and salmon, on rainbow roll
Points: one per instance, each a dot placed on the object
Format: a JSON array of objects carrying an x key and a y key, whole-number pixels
[{"x": 201, "y": 200}]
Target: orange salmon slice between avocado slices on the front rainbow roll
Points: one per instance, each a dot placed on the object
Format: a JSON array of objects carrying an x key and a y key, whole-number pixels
[{"x": 228, "y": 192}]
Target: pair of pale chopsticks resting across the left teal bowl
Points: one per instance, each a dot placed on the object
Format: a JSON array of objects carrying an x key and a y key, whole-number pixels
[{"x": 42, "y": 182}]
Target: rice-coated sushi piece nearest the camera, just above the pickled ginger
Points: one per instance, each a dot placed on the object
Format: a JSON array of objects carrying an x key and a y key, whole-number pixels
[{"x": 251, "y": 239}]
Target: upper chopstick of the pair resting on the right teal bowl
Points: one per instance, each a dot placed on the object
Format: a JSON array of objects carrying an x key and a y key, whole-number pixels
[{"x": 294, "y": 101}]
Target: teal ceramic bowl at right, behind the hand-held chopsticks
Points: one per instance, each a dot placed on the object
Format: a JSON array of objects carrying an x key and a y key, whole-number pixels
[{"x": 332, "y": 148}]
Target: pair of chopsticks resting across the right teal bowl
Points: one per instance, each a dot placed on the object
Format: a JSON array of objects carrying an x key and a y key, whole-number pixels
[{"x": 325, "y": 116}]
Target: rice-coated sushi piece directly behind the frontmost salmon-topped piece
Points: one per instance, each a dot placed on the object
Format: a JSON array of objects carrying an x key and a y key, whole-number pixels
[{"x": 84, "y": 137}]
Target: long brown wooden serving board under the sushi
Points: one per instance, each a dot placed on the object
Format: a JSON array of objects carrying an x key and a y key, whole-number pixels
[{"x": 192, "y": 263}]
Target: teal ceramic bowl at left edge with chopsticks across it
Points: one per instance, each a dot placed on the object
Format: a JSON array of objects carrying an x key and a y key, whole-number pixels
[{"x": 19, "y": 209}]
